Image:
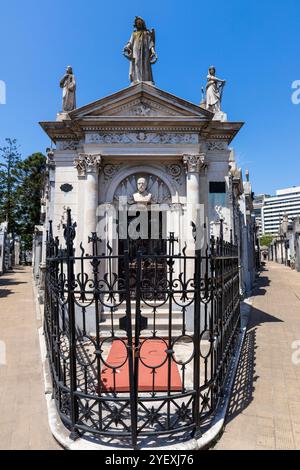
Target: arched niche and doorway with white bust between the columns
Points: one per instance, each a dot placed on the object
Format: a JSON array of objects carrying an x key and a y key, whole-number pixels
[{"x": 142, "y": 202}]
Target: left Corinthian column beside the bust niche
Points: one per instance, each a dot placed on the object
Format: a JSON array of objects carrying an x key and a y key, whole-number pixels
[{"x": 88, "y": 166}]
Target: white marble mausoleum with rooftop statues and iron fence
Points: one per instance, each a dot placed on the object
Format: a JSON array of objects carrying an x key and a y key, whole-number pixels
[{"x": 142, "y": 297}]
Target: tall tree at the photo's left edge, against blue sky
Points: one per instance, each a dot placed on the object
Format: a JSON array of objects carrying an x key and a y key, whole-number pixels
[{"x": 10, "y": 159}]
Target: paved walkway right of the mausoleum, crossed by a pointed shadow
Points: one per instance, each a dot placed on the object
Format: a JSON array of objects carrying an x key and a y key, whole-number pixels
[{"x": 265, "y": 407}]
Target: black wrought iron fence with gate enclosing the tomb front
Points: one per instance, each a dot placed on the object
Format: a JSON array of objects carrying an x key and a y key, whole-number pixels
[{"x": 133, "y": 369}]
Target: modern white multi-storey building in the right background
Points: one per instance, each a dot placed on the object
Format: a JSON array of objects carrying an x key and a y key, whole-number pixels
[{"x": 269, "y": 210}]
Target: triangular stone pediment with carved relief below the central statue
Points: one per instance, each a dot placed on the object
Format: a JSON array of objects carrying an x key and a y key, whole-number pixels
[{"x": 141, "y": 101}]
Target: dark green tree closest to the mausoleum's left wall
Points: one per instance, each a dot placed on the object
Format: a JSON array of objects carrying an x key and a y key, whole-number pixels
[{"x": 32, "y": 173}]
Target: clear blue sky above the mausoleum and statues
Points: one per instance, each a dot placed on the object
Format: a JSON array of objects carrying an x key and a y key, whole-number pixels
[{"x": 254, "y": 46}]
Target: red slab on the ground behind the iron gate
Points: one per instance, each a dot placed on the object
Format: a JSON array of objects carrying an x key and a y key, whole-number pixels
[{"x": 153, "y": 353}]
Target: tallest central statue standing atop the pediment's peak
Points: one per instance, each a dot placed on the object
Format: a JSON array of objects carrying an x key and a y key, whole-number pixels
[{"x": 140, "y": 50}]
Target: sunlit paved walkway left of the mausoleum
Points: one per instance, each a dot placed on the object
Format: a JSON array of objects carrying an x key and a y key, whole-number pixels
[{"x": 23, "y": 413}]
